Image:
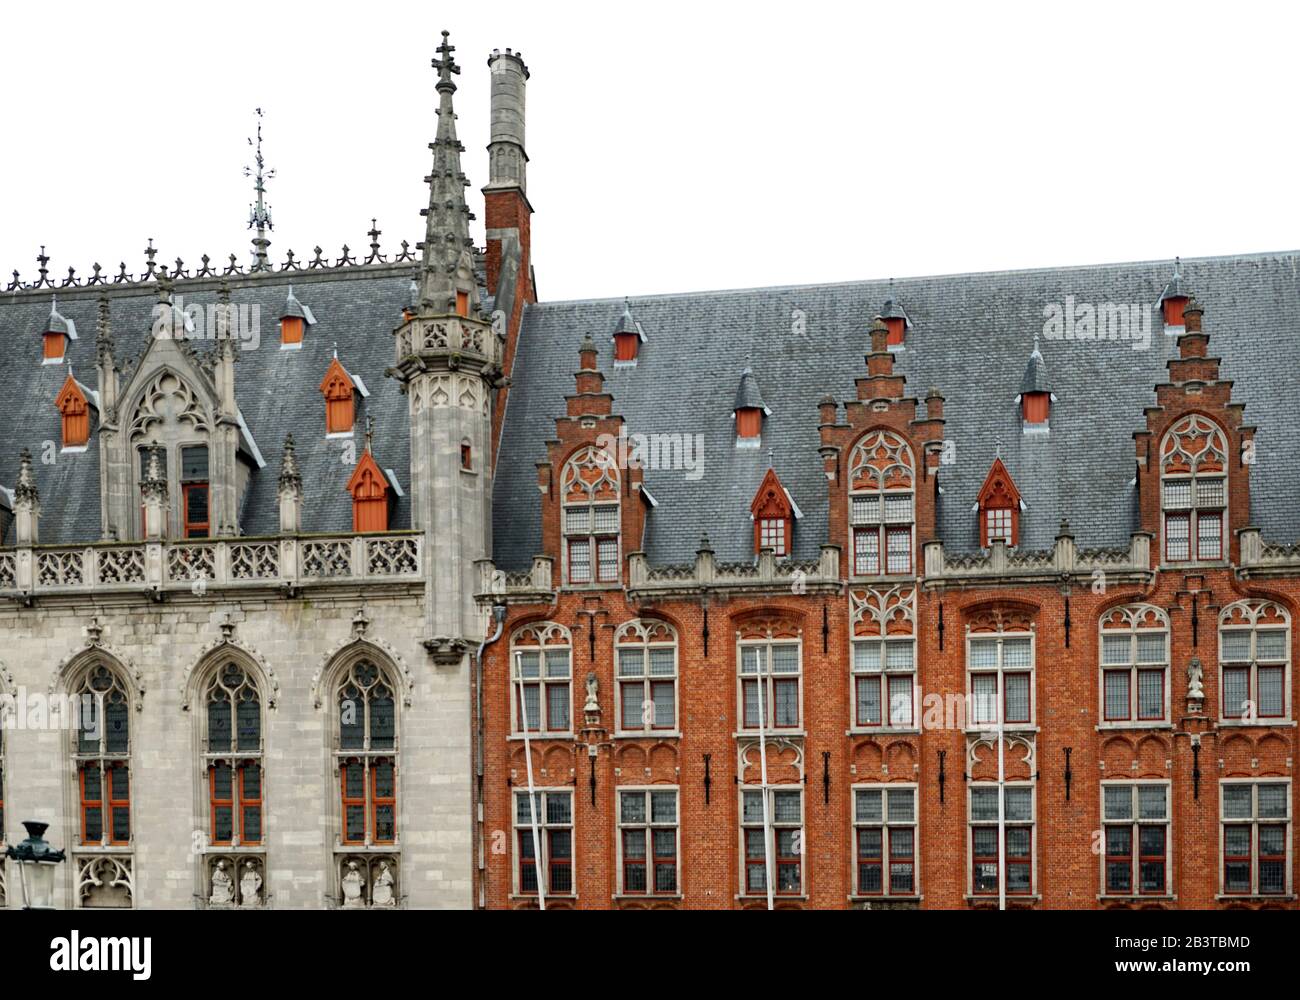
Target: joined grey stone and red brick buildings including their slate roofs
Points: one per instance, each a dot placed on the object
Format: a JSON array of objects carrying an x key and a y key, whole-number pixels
[{"x": 947, "y": 592}]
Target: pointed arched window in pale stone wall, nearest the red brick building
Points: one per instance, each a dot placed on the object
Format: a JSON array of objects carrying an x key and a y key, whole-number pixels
[{"x": 366, "y": 755}]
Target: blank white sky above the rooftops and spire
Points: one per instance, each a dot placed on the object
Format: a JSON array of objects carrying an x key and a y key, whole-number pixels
[{"x": 673, "y": 146}]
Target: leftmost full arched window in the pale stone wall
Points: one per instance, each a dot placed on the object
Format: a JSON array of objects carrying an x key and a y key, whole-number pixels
[{"x": 102, "y": 755}]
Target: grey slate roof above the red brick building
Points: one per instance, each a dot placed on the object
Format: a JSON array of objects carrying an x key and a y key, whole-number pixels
[{"x": 972, "y": 337}]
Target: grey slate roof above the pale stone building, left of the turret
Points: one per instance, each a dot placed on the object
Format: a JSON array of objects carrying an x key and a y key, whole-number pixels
[{"x": 278, "y": 392}]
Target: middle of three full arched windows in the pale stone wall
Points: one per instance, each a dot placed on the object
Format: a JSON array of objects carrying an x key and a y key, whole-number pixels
[{"x": 233, "y": 757}]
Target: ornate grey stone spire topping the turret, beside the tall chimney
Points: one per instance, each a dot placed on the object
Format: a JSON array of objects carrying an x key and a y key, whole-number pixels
[{"x": 447, "y": 237}]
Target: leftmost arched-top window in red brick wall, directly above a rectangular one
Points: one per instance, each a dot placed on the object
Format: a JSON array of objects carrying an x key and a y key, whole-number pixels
[{"x": 541, "y": 679}]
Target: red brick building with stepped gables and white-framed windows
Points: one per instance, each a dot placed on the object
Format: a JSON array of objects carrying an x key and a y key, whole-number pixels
[{"x": 1145, "y": 691}]
